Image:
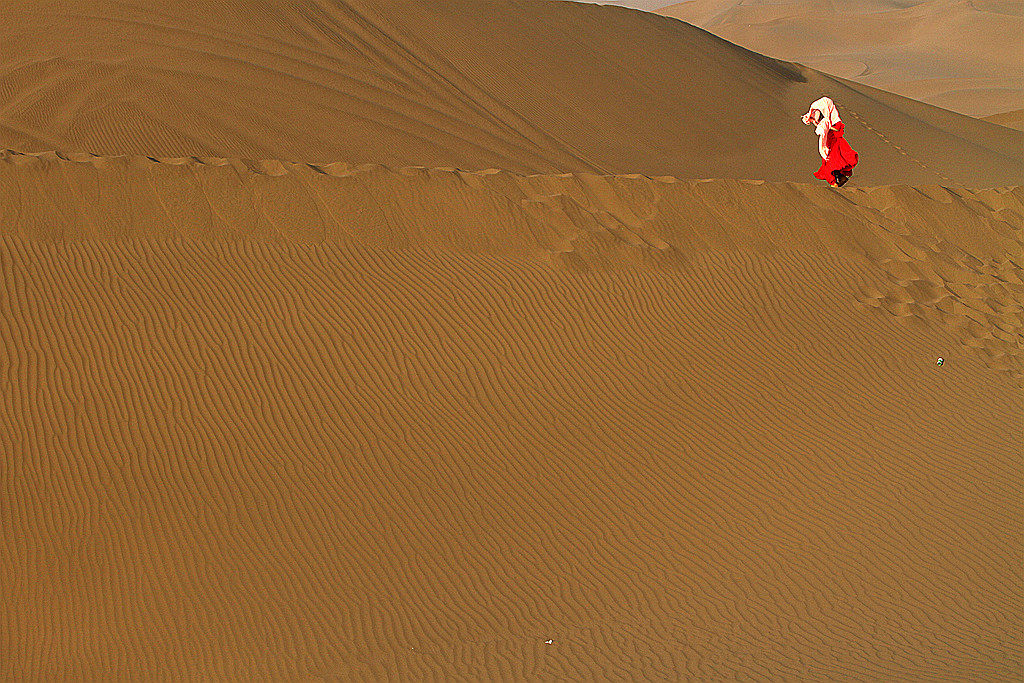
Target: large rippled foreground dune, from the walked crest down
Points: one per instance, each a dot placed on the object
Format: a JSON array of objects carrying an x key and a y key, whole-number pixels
[{"x": 263, "y": 422}]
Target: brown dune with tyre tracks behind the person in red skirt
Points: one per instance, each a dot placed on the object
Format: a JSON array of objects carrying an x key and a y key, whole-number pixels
[{"x": 526, "y": 86}]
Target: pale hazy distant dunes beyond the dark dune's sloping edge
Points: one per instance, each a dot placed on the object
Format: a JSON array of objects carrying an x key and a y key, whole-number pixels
[{"x": 965, "y": 56}]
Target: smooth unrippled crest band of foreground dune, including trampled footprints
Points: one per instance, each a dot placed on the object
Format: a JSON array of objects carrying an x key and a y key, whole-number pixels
[{"x": 949, "y": 253}]
